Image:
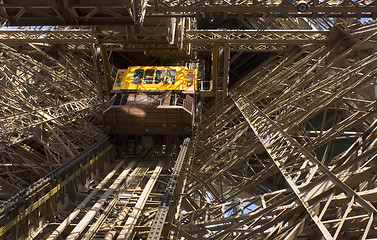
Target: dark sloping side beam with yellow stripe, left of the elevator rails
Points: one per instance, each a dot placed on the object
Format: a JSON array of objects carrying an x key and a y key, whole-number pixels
[{"x": 43, "y": 193}]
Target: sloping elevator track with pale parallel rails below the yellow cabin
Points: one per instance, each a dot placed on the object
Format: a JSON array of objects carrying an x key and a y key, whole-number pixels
[{"x": 123, "y": 199}]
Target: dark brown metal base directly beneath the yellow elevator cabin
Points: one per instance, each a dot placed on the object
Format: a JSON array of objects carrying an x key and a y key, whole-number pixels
[{"x": 141, "y": 114}]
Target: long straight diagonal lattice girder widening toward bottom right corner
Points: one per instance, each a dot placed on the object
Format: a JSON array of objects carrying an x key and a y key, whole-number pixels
[{"x": 309, "y": 179}]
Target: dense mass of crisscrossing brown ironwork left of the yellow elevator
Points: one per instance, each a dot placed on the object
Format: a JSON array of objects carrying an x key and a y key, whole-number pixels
[{"x": 46, "y": 116}]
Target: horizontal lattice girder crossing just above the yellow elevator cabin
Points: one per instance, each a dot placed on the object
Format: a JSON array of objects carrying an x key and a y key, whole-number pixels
[{"x": 271, "y": 40}]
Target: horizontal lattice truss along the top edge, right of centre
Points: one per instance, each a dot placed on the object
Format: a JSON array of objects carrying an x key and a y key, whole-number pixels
[{"x": 342, "y": 9}]
